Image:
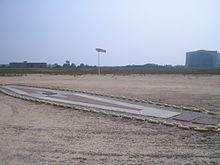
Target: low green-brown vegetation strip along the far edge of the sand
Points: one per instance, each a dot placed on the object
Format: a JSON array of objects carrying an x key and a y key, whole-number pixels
[{"x": 123, "y": 70}]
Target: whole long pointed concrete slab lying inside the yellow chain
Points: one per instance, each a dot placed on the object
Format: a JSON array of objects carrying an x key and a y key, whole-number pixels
[{"x": 62, "y": 98}]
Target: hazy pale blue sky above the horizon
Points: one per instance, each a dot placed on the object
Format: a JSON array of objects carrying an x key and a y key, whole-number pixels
[{"x": 132, "y": 31}]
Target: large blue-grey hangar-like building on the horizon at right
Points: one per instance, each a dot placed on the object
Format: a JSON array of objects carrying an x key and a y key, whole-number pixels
[{"x": 202, "y": 59}]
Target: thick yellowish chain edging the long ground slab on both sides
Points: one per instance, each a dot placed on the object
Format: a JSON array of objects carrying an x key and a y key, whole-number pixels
[{"x": 209, "y": 128}]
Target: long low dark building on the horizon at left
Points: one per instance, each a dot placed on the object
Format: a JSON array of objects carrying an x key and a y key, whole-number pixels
[{"x": 26, "y": 64}]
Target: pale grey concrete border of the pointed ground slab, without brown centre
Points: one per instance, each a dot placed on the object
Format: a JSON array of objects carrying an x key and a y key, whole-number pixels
[{"x": 134, "y": 108}]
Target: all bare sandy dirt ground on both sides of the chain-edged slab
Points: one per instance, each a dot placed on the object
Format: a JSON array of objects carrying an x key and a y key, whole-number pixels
[{"x": 33, "y": 133}]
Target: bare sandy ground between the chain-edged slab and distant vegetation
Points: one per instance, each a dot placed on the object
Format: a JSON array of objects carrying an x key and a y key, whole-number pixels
[{"x": 193, "y": 90}]
